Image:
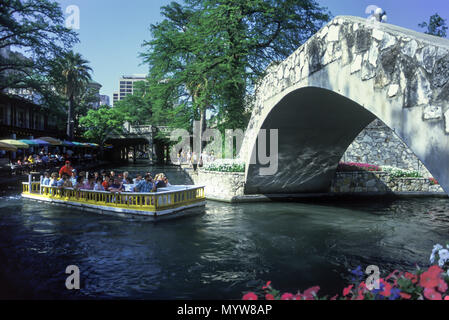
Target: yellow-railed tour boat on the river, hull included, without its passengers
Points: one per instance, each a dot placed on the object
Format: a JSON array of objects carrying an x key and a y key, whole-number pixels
[{"x": 169, "y": 202}]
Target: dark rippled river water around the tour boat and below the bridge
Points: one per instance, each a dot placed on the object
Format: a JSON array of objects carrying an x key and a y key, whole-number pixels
[{"x": 228, "y": 250}]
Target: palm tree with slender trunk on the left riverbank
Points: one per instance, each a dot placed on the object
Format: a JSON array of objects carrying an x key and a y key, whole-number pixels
[{"x": 72, "y": 75}]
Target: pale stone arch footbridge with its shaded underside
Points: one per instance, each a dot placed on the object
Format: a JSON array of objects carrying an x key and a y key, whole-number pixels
[{"x": 347, "y": 75}]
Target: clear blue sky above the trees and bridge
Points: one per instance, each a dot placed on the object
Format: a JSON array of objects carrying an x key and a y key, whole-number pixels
[{"x": 112, "y": 31}]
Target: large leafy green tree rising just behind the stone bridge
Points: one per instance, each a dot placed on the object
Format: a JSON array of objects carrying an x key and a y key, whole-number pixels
[{"x": 208, "y": 54}]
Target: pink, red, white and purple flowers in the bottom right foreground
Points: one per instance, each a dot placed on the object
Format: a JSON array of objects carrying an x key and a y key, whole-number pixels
[{"x": 430, "y": 284}]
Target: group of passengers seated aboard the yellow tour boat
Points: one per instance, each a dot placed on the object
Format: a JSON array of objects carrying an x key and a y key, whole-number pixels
[{"x": 68, "y": 177}]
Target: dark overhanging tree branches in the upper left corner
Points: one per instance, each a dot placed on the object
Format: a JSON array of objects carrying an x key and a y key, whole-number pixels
[{"x": 35, "y": 28}]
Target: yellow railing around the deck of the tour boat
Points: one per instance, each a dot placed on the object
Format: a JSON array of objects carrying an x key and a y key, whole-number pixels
[{"x": 152, "y": 201}]
